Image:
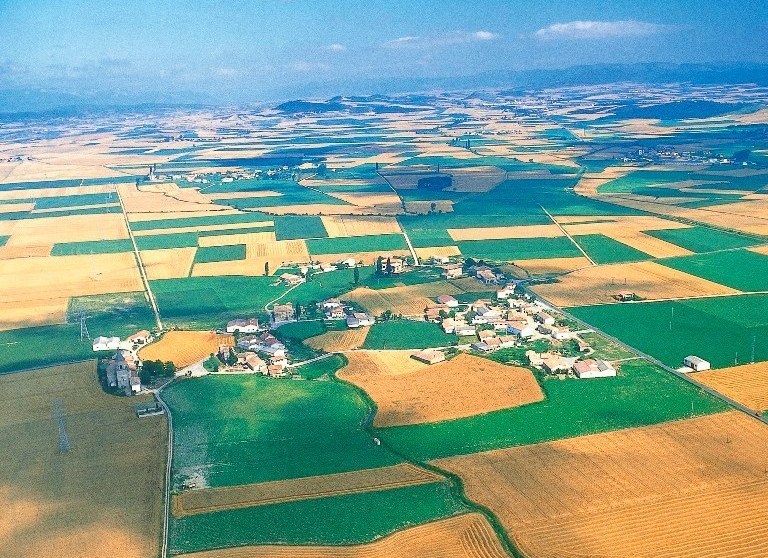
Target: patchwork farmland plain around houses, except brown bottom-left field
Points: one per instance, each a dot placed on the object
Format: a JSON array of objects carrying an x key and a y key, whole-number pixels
[{"x": 181, "y": 220}]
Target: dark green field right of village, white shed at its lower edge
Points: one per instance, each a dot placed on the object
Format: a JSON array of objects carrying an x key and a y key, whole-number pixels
[{"x": 715, "y": 329}]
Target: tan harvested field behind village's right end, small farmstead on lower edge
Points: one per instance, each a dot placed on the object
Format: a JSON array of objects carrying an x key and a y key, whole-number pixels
[{"x": 649, "y": 280}]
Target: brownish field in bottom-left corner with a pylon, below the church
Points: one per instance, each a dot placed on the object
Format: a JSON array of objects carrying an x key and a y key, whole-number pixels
[{"x": 103, "y": 497}]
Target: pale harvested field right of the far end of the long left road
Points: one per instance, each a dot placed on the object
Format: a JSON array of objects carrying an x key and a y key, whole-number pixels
[{"x": 164, "y": 198}]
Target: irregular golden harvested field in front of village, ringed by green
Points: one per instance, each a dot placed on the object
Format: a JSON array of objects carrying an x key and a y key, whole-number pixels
[{"x": 461, "y": 387}]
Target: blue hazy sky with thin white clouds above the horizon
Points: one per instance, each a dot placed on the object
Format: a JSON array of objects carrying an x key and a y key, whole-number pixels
[{"x": 258, "y": 50}]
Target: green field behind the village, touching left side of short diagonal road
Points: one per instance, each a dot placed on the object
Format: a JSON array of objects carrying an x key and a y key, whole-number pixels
[{"x": 519, "y": 249}]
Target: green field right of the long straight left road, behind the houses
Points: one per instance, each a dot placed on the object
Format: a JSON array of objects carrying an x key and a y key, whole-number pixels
[{"x": 209, "y": 302}]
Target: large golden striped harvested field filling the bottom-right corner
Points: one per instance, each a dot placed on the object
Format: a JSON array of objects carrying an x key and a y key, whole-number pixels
[{"x": 693, "y": 488}]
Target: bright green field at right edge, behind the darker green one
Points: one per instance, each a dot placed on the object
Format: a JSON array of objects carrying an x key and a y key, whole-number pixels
[{"x": 740, "y": 269}]
